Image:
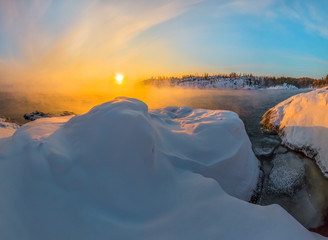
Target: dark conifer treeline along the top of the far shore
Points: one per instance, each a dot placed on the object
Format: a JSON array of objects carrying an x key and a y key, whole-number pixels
[{"x": 250, "y": 79}]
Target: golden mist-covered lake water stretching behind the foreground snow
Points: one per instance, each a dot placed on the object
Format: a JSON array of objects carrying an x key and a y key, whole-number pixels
[{"x": 249, "y": 104}]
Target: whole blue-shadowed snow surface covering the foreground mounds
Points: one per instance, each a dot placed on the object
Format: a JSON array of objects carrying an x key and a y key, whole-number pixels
[{"x": 123, "y": 172}]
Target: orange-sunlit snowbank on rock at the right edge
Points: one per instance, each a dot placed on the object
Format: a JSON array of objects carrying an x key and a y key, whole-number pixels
[{"x": 302, "y": 123}]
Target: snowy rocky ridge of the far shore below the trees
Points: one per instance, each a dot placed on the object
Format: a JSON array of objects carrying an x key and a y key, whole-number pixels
[{"x": 208, "y": 82}]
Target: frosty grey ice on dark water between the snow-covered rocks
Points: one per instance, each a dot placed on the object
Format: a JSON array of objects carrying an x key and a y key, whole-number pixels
[{"x": 287, "y": 181}]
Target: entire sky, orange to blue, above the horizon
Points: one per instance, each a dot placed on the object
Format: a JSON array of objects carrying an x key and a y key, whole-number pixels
[{"x": 82, "y": 44}]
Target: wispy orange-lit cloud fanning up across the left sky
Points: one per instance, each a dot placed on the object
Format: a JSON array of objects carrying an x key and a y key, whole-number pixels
[{"x": 89, "y": 44}]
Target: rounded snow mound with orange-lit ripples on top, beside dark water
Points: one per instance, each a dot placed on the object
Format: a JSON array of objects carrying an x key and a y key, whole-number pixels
[{"x": 211, "y": 143}]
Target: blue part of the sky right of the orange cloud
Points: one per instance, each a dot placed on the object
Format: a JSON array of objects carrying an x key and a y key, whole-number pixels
[{"x": 275, "y": 38}]
